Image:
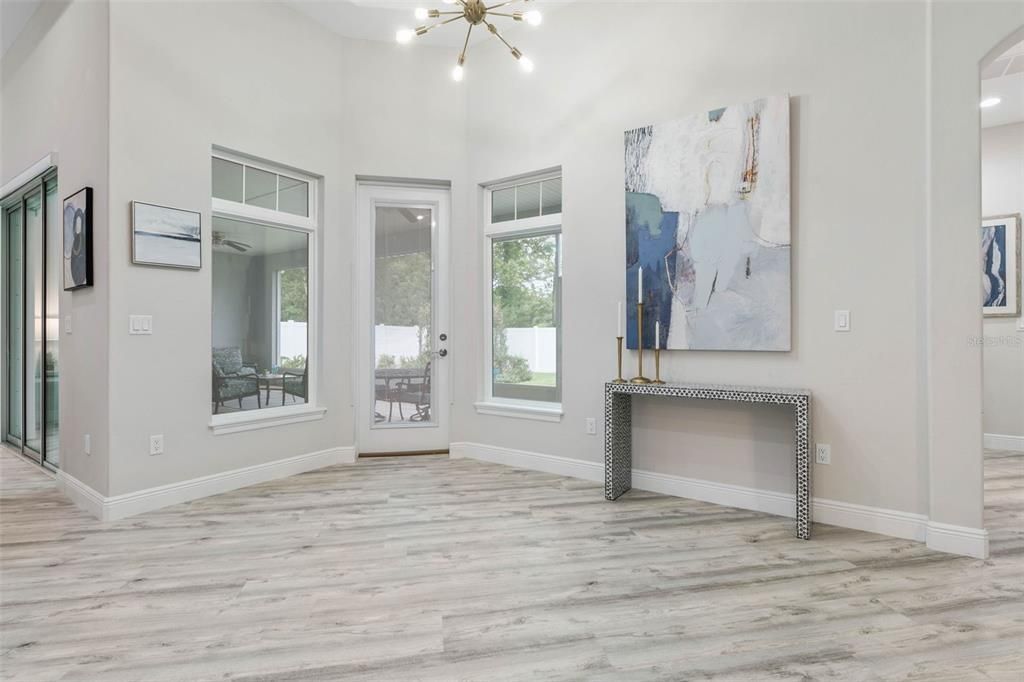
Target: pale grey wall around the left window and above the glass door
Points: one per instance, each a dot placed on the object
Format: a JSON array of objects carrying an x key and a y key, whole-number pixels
[{"x": 265, "y": 80}]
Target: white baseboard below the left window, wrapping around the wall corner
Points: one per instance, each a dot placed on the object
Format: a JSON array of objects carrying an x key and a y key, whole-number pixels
[{"x": 130, "y": 504}]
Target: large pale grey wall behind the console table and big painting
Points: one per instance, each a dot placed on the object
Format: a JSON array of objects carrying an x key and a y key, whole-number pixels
[{"x": 860, "y": 221}]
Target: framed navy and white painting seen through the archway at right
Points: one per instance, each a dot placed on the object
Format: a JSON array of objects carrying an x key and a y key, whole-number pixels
[{"x": 1001, "y": 264}]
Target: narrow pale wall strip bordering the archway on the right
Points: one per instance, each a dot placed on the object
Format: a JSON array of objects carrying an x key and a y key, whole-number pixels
[{"x": 961, "y": 36}]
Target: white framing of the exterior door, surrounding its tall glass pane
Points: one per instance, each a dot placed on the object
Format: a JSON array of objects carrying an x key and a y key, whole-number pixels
[{"x": 373, "y": 439}]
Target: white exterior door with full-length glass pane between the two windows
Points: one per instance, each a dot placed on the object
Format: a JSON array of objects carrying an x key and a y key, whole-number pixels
[{"x": 404, "y": 371}]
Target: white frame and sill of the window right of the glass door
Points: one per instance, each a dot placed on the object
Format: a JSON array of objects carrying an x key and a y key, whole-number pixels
[{"x": 519, "y": 228}]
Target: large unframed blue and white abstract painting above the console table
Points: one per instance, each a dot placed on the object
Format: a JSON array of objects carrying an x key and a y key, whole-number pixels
[{"x": 708, "y": 220}]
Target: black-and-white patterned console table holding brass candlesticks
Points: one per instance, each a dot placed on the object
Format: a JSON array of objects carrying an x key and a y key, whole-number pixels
[{"x": 618, "y": 438}]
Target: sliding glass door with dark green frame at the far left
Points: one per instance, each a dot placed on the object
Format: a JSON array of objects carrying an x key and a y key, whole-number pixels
[{"x": 31, "y": 279}]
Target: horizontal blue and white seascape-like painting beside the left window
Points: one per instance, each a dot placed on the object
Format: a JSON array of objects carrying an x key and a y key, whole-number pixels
[{"x": 167, "y": 237}]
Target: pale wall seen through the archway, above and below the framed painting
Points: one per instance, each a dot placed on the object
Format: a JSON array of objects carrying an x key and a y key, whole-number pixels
[{"x": 1003, "y": 193}]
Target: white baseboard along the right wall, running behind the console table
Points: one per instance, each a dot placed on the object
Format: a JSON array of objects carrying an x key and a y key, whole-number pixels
[{"x": 873, "y": 520}]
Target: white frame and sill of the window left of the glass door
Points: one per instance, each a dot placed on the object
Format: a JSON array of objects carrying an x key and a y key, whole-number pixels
[{"x": 279, "y": 416}]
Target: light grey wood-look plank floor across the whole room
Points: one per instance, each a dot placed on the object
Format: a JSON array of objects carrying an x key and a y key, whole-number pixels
[{"x": 454, "y": 570}]
